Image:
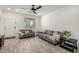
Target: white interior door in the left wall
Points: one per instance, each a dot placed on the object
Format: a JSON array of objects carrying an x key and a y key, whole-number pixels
[{"x": 10, "y": 27}]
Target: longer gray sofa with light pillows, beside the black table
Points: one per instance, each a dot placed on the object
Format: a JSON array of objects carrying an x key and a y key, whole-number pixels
[{"x": 47, "y": 35}]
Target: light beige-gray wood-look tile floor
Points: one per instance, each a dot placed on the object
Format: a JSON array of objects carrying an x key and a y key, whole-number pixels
[{"x": 30, "y": 45}]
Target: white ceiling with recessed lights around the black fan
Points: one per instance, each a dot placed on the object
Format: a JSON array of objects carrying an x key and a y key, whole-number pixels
[{"x": 25, "y": 8}]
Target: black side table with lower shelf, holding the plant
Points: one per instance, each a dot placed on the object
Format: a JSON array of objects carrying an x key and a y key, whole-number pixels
[{"x": 69, "y": 44}]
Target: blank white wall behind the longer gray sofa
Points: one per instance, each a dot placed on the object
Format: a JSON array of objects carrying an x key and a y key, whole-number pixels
[{"x": 63, "y": 19}]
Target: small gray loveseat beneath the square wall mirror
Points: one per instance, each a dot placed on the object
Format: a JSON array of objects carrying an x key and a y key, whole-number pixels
[{"x": 26, "y": 33}]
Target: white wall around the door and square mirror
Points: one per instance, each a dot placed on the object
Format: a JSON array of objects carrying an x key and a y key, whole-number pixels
[{"x": 19, "y": 20}]
